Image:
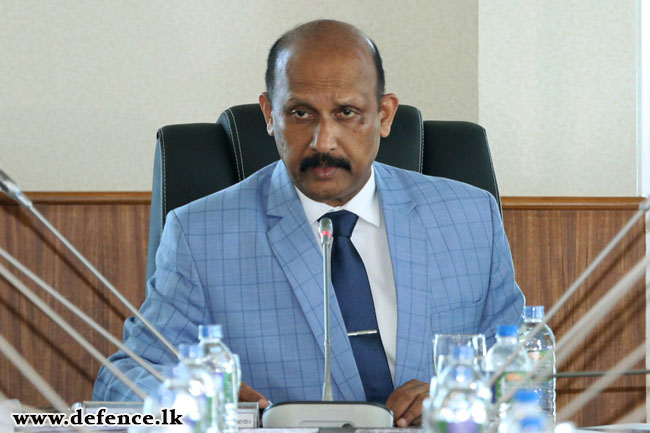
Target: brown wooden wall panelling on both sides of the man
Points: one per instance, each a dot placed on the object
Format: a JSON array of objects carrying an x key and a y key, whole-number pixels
[{"x": 552, "y": 241}]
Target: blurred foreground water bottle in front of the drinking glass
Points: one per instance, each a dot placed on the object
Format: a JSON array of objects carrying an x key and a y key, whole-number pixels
[{"x": 460, "y": 402}]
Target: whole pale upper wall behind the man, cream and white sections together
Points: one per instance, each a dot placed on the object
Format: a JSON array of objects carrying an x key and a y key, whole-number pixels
[{"x": 85, "y": 84}]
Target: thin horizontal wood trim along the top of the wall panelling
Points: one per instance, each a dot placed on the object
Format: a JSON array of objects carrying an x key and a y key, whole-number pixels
[{"x": 509, "y": 203}]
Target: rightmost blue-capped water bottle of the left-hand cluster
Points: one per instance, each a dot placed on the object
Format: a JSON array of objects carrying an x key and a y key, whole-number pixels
[{"x": 221, "y": 362}]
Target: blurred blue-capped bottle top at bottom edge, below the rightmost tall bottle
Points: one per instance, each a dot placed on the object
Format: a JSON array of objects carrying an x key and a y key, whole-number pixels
[{"x": 525, "y": 415}]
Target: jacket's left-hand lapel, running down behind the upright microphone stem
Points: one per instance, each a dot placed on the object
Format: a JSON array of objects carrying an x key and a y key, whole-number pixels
[{"x": 299, "y": 255}]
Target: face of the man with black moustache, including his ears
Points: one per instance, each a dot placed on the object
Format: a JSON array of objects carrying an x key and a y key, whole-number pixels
[{"x": 326, "y": 120}]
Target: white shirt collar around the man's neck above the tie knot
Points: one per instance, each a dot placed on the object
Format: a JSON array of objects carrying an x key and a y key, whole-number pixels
[{"x": 365, "y": 204}]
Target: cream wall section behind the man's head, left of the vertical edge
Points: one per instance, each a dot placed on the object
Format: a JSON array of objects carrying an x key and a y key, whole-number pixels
[{"x": 85, "y": 84}]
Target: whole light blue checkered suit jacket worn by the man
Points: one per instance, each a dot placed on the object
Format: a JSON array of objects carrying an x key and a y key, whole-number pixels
[{"x": 246, "y": 257}]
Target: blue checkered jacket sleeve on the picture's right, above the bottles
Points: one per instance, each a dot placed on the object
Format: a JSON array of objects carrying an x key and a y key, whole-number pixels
[{"x": 505, "y": 301}]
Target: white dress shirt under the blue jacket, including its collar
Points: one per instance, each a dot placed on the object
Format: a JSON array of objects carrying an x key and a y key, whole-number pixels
[{"x": 371, "y": 241}]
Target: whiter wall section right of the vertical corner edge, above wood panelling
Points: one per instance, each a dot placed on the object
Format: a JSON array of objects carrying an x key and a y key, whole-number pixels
[{"x": 557, "y": 95}]
